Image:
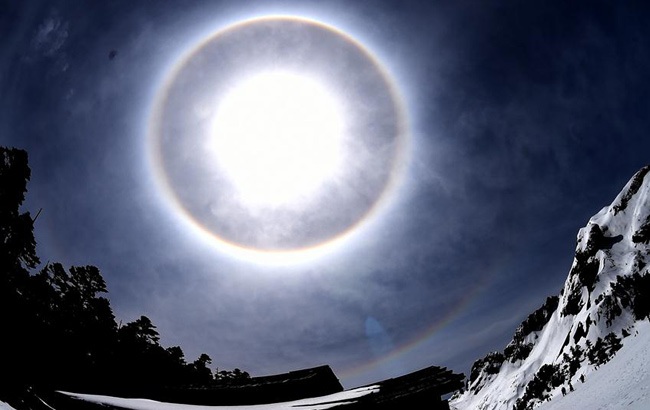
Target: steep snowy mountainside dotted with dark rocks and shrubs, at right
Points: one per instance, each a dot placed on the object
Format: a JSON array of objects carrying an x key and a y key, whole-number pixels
[{"x": 563, "y": 343}]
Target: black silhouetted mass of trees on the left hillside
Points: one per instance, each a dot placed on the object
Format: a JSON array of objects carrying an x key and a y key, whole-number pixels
[{"x": 59, "y": 331}]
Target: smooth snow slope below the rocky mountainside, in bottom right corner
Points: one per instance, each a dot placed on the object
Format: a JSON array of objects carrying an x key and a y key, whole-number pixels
[{"x": 622, "y": 383}]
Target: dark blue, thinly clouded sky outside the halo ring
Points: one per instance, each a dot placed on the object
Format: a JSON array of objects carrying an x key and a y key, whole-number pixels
[{"x": 526, "y": 118}]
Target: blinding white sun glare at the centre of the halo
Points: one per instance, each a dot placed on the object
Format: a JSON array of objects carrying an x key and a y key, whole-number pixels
[{"x": 278, "y": 136}]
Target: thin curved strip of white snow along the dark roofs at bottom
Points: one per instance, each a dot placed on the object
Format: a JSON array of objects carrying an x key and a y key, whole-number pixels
[{"x": 317, "y": 403}]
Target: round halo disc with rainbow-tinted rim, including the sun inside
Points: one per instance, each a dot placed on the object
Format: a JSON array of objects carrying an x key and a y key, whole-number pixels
[{"x": 277, "y": 135}]
